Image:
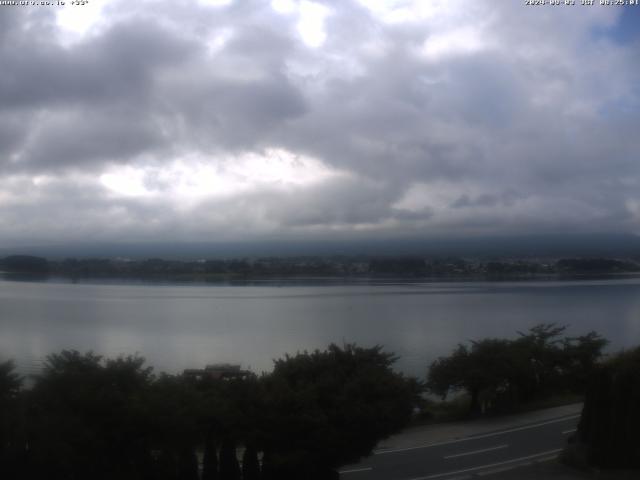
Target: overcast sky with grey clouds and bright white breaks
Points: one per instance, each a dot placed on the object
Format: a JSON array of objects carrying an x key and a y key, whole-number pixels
[{"x": 244, "y": 119}]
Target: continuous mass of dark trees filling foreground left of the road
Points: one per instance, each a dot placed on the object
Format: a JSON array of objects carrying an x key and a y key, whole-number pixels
[{"x": 87, "y": 417}]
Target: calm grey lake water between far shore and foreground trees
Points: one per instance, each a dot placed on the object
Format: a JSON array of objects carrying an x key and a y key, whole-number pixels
[{"x": 183, "y": 326}]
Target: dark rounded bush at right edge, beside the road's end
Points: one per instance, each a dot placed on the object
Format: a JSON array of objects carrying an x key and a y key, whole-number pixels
[{"x": 610, "y": 422}]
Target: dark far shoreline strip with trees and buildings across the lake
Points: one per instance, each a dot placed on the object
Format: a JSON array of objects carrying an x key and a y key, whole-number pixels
[{"x": 324, "y": 270}]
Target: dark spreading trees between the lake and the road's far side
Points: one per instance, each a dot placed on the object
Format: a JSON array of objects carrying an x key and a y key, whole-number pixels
[{"x": 502, "y": 374}]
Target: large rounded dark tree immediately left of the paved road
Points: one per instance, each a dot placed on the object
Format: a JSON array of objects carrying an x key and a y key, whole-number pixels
[{"x": 328, "y": 408}]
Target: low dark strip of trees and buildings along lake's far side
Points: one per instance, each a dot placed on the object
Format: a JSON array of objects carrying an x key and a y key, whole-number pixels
[{"x": 357, "y": 266}]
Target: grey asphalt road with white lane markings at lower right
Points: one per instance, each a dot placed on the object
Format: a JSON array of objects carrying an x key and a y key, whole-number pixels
[{"x": 464, "y": 457}]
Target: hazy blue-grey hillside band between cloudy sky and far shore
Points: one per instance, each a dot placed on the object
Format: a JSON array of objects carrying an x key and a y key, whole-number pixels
[{"x": 556, "y": 246}]
